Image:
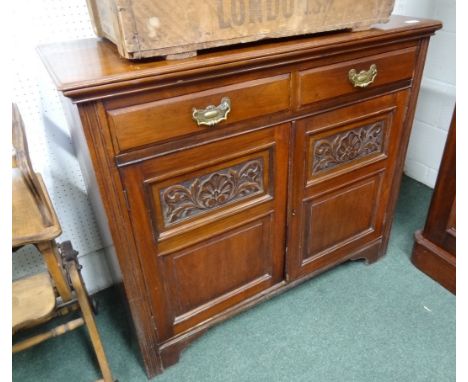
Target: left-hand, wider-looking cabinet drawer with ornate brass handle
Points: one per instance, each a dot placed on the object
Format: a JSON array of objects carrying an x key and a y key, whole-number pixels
[{"x": 161, "y": 120}]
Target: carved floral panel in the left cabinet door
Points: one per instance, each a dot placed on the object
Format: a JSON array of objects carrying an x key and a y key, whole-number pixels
[{"x": 199, "y": 195}]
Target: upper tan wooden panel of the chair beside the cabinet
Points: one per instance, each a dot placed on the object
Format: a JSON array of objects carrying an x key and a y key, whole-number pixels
[{"x": 28, "y": 226}]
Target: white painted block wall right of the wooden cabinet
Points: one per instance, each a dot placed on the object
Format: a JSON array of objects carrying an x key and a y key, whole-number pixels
[{"x": 437, "y": 96}]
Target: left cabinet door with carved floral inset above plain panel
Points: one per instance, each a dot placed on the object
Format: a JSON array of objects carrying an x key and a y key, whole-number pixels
[{"x": 210, "y": 224}]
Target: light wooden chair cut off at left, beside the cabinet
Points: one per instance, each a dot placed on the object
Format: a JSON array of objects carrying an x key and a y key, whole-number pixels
[{"x": 61, "y": 290}]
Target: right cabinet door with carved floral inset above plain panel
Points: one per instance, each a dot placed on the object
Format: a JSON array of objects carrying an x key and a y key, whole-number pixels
[{"x": 343, "y": 164}]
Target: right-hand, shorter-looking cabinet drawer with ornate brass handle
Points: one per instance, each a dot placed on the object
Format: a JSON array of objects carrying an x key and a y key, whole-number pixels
[{"x": 322, "y": 83}]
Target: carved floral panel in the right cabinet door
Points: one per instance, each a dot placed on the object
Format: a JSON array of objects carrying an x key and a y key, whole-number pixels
[{"x": 347, "y": 146}]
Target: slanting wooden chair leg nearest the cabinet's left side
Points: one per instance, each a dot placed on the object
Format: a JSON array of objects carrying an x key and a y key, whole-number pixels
[{"x": 88, "y": 316}]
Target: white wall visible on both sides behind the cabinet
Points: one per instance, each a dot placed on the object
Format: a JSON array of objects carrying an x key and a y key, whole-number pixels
[{"x": 52, "y": 152}]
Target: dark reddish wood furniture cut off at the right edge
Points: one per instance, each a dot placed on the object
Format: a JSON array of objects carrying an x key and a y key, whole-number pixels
[{"x": 434, "y": 250}]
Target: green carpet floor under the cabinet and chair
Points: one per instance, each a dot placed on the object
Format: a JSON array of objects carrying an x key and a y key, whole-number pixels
[{"x": 384, "y": 322}]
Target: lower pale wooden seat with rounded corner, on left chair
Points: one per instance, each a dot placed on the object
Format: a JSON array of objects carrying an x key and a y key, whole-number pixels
[{"x": 33, "y": 300}]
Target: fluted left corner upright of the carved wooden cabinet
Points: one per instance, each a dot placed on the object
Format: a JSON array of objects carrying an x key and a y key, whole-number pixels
[{"x": 92, "y": 143}]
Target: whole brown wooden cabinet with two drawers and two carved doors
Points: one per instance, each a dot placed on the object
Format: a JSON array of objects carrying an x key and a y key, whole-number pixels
[{"x": 294, "y": 168}]
